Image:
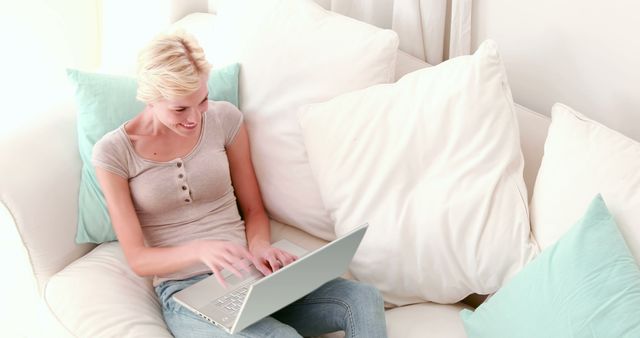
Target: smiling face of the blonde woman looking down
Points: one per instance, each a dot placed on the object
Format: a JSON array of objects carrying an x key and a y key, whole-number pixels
[{"x": 183, "y": 115}]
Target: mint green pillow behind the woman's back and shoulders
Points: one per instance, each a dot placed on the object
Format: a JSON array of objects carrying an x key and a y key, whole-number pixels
[{"x": 104, "y": 102}]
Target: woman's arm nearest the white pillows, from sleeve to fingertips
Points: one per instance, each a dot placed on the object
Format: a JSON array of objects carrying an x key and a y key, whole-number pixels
[{"x": 256, "y": 221}]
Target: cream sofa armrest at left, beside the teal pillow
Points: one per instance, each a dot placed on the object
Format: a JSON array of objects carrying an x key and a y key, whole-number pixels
[{"x": 39, "y": 182}]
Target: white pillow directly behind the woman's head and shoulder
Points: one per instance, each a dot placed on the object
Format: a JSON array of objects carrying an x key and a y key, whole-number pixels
[{"x": 293, "y": 53}]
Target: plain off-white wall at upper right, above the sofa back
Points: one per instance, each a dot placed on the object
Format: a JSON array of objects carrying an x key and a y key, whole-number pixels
[{"x": 583, "y": 53}]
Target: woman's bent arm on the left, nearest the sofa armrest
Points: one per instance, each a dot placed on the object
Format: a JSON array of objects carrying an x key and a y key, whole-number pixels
[{"x": 146, "y": 261}]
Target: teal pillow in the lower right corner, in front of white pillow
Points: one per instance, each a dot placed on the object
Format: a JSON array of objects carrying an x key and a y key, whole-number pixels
[{"x": 585, "y": 285}]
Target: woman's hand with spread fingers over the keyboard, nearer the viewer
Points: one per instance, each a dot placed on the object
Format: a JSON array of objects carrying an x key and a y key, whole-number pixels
[{"x": 223, "y": 254}]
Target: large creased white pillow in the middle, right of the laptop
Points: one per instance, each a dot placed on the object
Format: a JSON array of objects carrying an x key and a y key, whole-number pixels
[{"x": 433, "y": 163}]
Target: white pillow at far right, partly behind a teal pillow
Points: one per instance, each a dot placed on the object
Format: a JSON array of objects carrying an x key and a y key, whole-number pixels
[{"x": 581, "y": 159}]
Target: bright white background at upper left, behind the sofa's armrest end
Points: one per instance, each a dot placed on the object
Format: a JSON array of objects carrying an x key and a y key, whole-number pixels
[{"x": 41, "y": 38}]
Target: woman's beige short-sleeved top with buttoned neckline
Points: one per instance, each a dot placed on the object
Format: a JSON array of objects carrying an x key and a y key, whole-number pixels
[{"x": 186, "y": 198}]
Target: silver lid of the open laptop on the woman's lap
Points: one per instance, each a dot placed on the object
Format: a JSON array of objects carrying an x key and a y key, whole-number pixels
[{"x": 297, "y": 279}]
